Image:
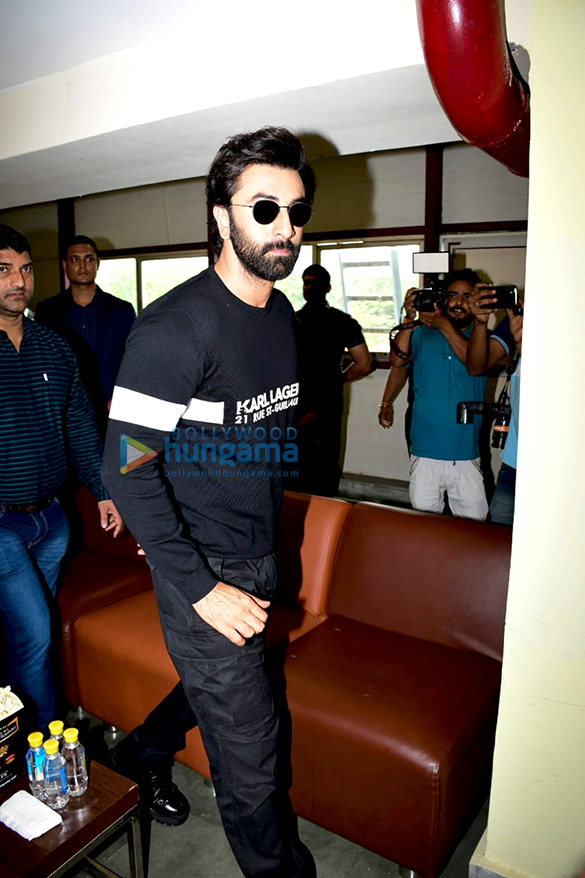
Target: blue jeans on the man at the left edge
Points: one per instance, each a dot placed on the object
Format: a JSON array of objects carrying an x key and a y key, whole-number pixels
[{"x": 31, "y": 549}]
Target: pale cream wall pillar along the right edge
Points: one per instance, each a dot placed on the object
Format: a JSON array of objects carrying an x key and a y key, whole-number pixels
[{"x": 537, "y": 805}]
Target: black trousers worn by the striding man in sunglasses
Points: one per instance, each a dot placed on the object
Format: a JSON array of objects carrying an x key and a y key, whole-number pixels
[{"x": 224, "y": 690}]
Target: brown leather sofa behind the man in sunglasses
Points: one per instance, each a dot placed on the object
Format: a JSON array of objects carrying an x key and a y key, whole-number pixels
[{"x": 394, "y": 623}]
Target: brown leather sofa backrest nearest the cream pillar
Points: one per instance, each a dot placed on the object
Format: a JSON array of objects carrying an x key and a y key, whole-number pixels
[{"x": 433, "y": 577}]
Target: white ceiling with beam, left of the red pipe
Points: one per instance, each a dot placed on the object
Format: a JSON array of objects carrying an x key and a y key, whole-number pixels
[{"x": 123, "y": 93}]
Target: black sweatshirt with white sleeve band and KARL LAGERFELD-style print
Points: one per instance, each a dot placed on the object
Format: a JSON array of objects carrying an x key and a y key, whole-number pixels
[{"x": 208, "y": 386}]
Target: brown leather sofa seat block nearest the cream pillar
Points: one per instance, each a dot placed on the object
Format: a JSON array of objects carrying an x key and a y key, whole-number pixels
[{"x": 391, "y": 739}]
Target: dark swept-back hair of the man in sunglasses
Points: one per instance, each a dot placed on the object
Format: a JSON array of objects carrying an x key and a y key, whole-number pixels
[{"x": 268, "y": 146}]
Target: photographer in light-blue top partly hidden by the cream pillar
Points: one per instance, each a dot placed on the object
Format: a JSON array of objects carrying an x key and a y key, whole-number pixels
[{"x": 484, "y": 351}]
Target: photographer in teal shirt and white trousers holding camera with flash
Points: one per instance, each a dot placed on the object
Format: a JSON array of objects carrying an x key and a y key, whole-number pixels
[{"x": 444, "y": 455}]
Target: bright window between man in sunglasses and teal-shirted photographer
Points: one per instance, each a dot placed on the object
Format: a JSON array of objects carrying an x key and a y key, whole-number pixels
[{"x": 369, "y": 282}]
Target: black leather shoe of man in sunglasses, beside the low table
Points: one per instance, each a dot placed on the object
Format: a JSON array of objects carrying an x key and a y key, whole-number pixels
[{"x": 164, "y": 799}]
